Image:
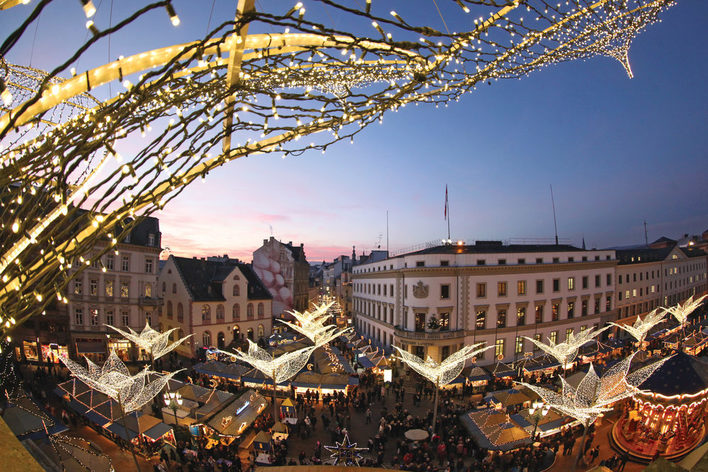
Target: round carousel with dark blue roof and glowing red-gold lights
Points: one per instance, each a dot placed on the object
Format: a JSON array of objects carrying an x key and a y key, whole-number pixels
[{"x": 668, "y": 418}]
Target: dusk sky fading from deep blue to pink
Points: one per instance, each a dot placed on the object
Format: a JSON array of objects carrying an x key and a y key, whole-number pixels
[{"x": 617, "y": 151}]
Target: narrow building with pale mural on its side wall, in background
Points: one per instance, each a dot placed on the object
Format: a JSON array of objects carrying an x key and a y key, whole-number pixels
[{"x": 285, "y": 272}]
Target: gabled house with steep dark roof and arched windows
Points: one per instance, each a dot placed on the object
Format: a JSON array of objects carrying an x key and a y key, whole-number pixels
[{"x": 219, "y": 301}]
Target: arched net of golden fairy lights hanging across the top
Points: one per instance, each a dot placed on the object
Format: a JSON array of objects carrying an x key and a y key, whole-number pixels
[{"x": 266, "y": 90}]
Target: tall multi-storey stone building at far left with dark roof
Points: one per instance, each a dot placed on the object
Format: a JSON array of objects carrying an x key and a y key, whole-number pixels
[{"x": 118, "y": 288}]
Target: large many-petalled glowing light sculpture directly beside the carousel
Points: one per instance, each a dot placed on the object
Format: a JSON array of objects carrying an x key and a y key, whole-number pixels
[{"x": 595, "y": 394}]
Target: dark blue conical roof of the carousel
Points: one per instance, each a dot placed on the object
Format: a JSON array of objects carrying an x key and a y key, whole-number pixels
[{"x": 681, "y": 374}]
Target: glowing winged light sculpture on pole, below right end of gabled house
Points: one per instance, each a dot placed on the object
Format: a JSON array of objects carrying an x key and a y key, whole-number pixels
[{"x": 280, "y": 369}]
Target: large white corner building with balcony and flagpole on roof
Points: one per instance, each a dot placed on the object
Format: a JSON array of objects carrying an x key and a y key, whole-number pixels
[{"x": 487, "y": 292}]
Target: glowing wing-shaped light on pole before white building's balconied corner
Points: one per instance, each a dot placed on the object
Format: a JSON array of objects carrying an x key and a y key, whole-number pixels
[{"x": 441, "y": 373}]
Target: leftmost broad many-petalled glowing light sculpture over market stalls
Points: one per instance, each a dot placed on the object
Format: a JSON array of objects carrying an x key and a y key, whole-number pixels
[{"x": 114, "y": 380}]
